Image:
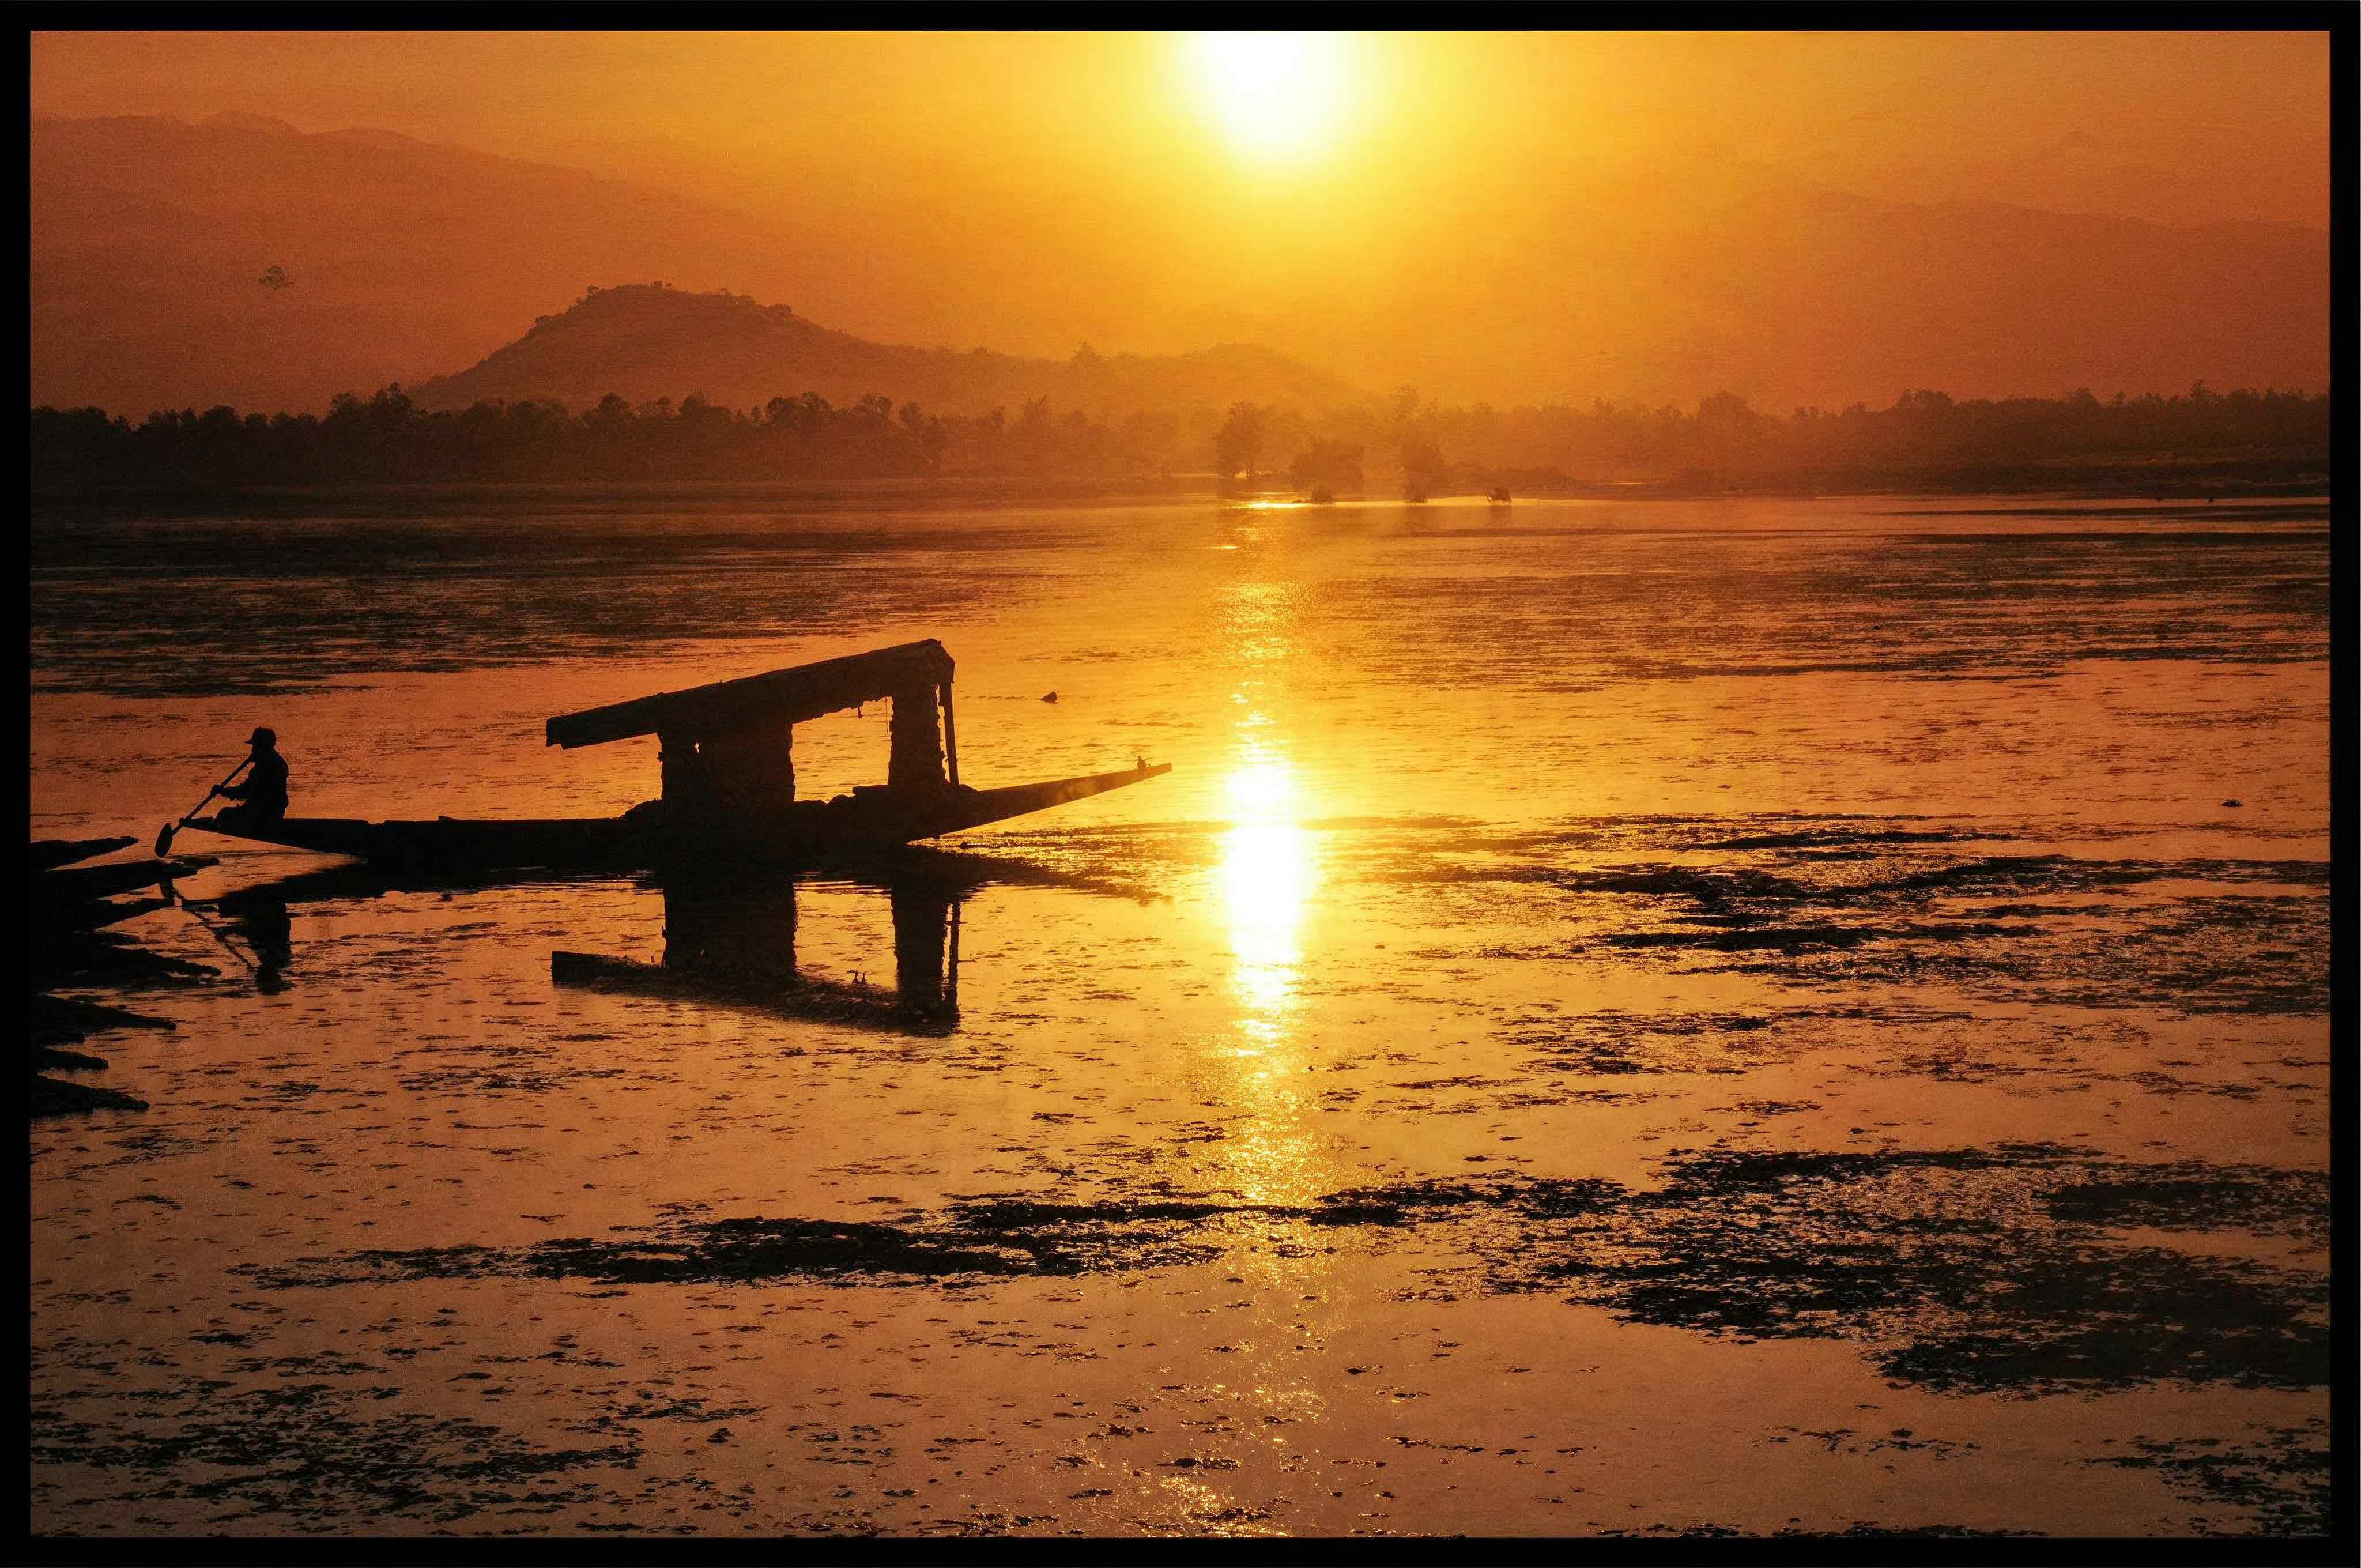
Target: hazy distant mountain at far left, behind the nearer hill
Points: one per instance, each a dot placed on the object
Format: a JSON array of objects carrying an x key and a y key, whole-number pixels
[{"x": 150, "y": 242}]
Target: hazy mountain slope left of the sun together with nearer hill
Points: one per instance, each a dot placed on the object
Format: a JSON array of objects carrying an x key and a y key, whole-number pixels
[{"x": 403, "y": 259}]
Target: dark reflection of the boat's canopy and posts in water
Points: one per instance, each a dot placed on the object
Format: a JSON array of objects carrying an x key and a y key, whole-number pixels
[{"x": 735, "y": 946}]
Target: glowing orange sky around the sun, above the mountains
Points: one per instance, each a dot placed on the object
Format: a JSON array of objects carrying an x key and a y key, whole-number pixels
[{"x": 1047, "y": 190}]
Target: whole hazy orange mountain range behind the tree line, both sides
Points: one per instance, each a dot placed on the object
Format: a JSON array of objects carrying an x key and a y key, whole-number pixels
[{"x": 247, "y": 263}]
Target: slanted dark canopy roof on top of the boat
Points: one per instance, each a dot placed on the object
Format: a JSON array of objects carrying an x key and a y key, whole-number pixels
[{"x": 792, "y": 695}]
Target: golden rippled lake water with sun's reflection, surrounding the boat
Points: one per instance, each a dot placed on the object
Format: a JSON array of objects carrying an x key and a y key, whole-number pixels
[{"x": 1666, "y": 1017}]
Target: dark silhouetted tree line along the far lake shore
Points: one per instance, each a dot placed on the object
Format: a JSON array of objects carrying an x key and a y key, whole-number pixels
[{"x": 1401, "y": 445}]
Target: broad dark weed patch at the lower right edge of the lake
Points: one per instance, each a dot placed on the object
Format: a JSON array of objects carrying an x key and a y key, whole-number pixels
[{"x": 1982, "y": 1272}]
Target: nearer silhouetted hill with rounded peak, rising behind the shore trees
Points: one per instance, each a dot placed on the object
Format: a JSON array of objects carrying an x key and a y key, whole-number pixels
[{"x": 646, "y": 341}]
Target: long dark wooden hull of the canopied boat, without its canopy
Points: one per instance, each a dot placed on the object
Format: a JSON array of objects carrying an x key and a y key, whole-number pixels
[{"x": 653, "y": 839}]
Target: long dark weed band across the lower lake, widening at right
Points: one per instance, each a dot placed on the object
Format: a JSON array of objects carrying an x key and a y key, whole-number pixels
[{"x": 1989, "y": 1272}]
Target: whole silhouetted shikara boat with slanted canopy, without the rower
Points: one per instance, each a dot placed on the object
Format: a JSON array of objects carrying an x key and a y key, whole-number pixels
[{"x": 728, "y": 783}]
